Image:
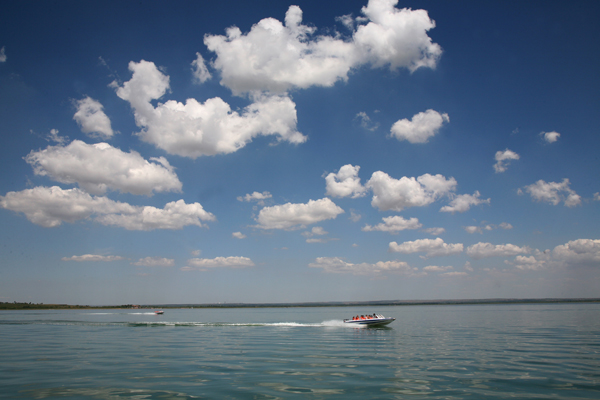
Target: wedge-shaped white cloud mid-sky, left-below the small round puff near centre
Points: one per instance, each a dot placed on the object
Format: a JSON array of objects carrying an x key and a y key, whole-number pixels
[{"x": 290, "y": 215}]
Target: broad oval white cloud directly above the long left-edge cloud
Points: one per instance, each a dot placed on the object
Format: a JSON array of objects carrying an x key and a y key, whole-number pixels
[{"x": 99, "y": 167}]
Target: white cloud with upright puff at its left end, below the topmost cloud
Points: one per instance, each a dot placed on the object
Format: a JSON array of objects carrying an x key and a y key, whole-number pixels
[{"x": 197, "y": 129}]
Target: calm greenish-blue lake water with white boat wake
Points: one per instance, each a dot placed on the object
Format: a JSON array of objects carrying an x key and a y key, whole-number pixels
[{"x": 542, "y": 351}]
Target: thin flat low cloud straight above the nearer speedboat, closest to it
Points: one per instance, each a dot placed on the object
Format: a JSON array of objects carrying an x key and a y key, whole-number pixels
[{"x": 338, "y": 265}]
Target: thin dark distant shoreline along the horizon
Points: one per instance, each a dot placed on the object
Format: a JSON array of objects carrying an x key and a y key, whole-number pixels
[{"x": 377, "y": 303}]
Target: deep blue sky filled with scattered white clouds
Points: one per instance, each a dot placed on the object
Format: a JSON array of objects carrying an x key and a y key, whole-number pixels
[{"x": 257, "y": 152}]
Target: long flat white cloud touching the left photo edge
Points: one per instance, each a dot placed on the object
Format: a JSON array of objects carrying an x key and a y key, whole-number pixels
[{"x": 50, "y": 207}]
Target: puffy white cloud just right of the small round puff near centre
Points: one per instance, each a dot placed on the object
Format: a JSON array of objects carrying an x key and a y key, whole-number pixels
[{"x": 397, "y": 194}]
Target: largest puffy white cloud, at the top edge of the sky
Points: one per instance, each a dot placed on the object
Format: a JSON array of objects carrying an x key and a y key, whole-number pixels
[{"x": 277, "y": 57}]
